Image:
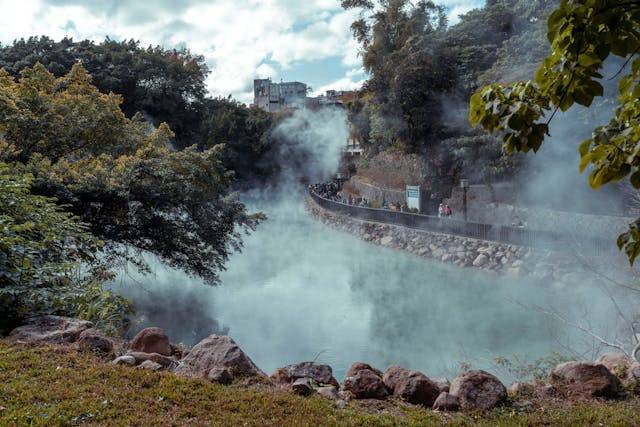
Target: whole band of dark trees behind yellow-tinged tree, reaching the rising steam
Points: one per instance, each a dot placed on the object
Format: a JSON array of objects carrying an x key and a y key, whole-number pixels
[{"x": 166, "y": 86}]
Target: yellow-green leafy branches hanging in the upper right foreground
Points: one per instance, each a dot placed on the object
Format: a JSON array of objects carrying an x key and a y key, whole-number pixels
[{"x": 583, "y": 34}]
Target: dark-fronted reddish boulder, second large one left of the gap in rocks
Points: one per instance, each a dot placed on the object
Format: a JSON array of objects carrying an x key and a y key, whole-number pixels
[{"x": 412, "y": 386}]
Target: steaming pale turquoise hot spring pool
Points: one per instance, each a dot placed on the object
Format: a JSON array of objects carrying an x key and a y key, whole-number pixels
[{"x": 301, "y": 291}]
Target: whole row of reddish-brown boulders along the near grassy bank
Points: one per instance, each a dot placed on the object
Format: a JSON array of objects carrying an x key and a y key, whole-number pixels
[{"x": 218, "y": 359}]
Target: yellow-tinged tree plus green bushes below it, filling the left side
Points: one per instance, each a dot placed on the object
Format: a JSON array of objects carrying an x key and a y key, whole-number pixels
[{"x": 67, "y": 146}]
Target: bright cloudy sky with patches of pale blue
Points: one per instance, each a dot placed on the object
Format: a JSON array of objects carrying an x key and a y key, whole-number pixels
[{"x": 303, "y": 40}]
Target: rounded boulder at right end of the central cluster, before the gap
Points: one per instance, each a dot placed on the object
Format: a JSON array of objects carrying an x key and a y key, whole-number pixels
[{"x": 478, "y": 390}]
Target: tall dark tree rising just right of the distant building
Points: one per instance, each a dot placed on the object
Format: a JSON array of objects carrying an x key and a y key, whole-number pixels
[{"x": 408, "y": 71}]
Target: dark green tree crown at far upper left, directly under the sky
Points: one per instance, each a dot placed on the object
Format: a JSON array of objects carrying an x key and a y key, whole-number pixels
[{"x": 166, "y": 84}]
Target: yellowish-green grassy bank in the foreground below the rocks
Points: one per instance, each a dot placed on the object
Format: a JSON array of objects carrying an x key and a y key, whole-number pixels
[{"x": 58, "y": 386}]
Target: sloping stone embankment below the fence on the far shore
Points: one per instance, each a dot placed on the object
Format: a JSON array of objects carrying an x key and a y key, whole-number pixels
[{"x": 516, "y": 261}]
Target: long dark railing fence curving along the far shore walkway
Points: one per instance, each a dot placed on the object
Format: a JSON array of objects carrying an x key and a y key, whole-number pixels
[{"x": 585, "y": 244}]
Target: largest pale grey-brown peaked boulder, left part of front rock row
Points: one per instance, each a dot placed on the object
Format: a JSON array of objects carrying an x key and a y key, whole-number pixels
[{"x": 217, "y": 351}]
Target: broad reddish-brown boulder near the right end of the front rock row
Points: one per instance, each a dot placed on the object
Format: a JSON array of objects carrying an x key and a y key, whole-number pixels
[{"x": 586, "y": 378}]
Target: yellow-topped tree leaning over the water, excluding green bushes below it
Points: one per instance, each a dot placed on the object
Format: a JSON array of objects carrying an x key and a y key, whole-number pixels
[{"x": 119, "y": 175}]
